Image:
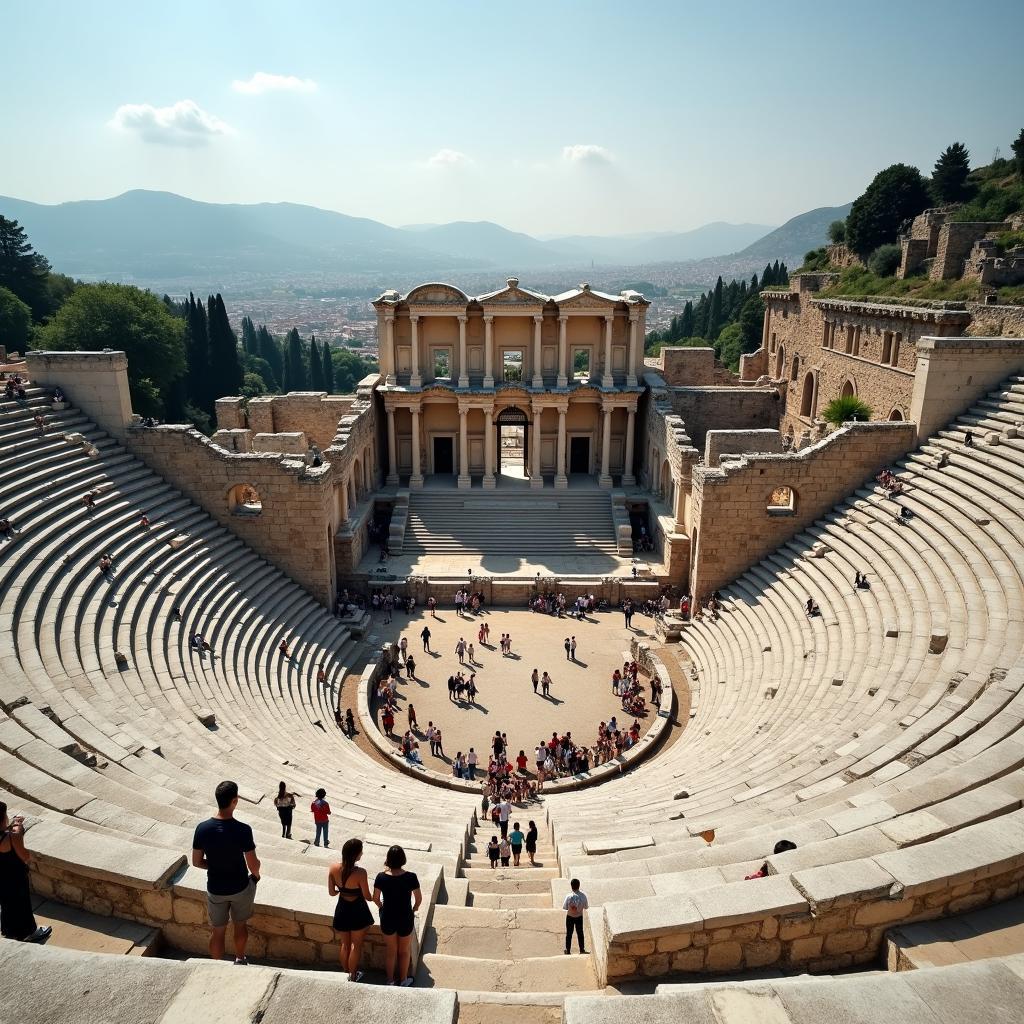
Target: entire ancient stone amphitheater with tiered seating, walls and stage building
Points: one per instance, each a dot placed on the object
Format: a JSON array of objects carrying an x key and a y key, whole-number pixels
[{"x": 881, "y": 736}]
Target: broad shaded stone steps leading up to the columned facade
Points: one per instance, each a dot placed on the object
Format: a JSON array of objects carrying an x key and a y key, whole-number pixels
[{"x": 530, "y": 523}]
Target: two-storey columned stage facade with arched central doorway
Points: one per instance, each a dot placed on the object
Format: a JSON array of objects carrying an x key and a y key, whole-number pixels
[{"x": 510, "y": 388}]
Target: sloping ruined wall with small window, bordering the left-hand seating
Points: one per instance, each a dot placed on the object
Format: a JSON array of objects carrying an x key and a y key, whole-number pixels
[{"x": 291, "y": 531}]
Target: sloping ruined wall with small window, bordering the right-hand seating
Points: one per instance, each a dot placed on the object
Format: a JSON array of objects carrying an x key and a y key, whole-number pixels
[{"x": 733, "y": 526}]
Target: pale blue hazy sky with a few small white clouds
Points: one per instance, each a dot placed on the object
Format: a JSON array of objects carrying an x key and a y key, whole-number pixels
[{"x": 548, "y": 118}]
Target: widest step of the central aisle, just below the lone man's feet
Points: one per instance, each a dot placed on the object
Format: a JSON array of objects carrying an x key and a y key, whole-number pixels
[{"x": 533, "y": 974}]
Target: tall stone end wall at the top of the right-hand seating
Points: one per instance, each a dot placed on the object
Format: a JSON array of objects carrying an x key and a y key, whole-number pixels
[{"x": 953, "y": 373}]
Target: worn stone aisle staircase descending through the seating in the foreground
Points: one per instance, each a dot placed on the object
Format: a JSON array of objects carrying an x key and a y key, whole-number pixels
[{"x": 508, "y": 938}]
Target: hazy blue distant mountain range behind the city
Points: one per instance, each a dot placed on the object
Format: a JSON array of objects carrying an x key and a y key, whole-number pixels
[{"x": 161, "y": 237}]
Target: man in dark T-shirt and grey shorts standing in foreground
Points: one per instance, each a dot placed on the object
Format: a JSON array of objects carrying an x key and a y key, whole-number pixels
[{"x": 225, "y": 848}]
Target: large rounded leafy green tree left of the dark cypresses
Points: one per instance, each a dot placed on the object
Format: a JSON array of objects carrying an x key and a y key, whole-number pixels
[{"x": 121, "y": 317}]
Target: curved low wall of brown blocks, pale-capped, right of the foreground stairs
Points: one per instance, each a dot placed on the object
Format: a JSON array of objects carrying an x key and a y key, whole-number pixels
[{"x": 820, "y": 920}]
